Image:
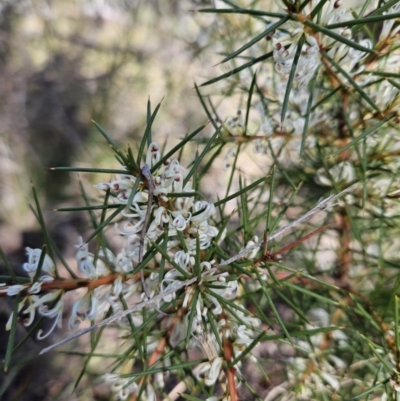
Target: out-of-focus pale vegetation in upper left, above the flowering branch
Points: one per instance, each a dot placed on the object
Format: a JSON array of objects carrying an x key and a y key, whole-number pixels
[{"x": 64, "y": 63}]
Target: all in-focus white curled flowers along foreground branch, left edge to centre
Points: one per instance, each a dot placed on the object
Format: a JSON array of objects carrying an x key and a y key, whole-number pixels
[{"x": 185, "y": 226}]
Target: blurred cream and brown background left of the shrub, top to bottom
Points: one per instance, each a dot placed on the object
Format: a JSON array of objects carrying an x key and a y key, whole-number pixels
[{"x": 62, "y": 64}]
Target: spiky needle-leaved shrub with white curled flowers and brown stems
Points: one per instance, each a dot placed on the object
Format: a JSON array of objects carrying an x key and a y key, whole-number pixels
[{"x": 196, "y": 297}]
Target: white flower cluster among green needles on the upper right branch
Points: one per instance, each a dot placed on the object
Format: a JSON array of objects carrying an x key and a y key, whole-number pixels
[{"x": 337, "y": 55}]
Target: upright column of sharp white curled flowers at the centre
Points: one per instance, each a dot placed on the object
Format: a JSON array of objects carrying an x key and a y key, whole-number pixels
[{"x": 186, "y": 224}]
